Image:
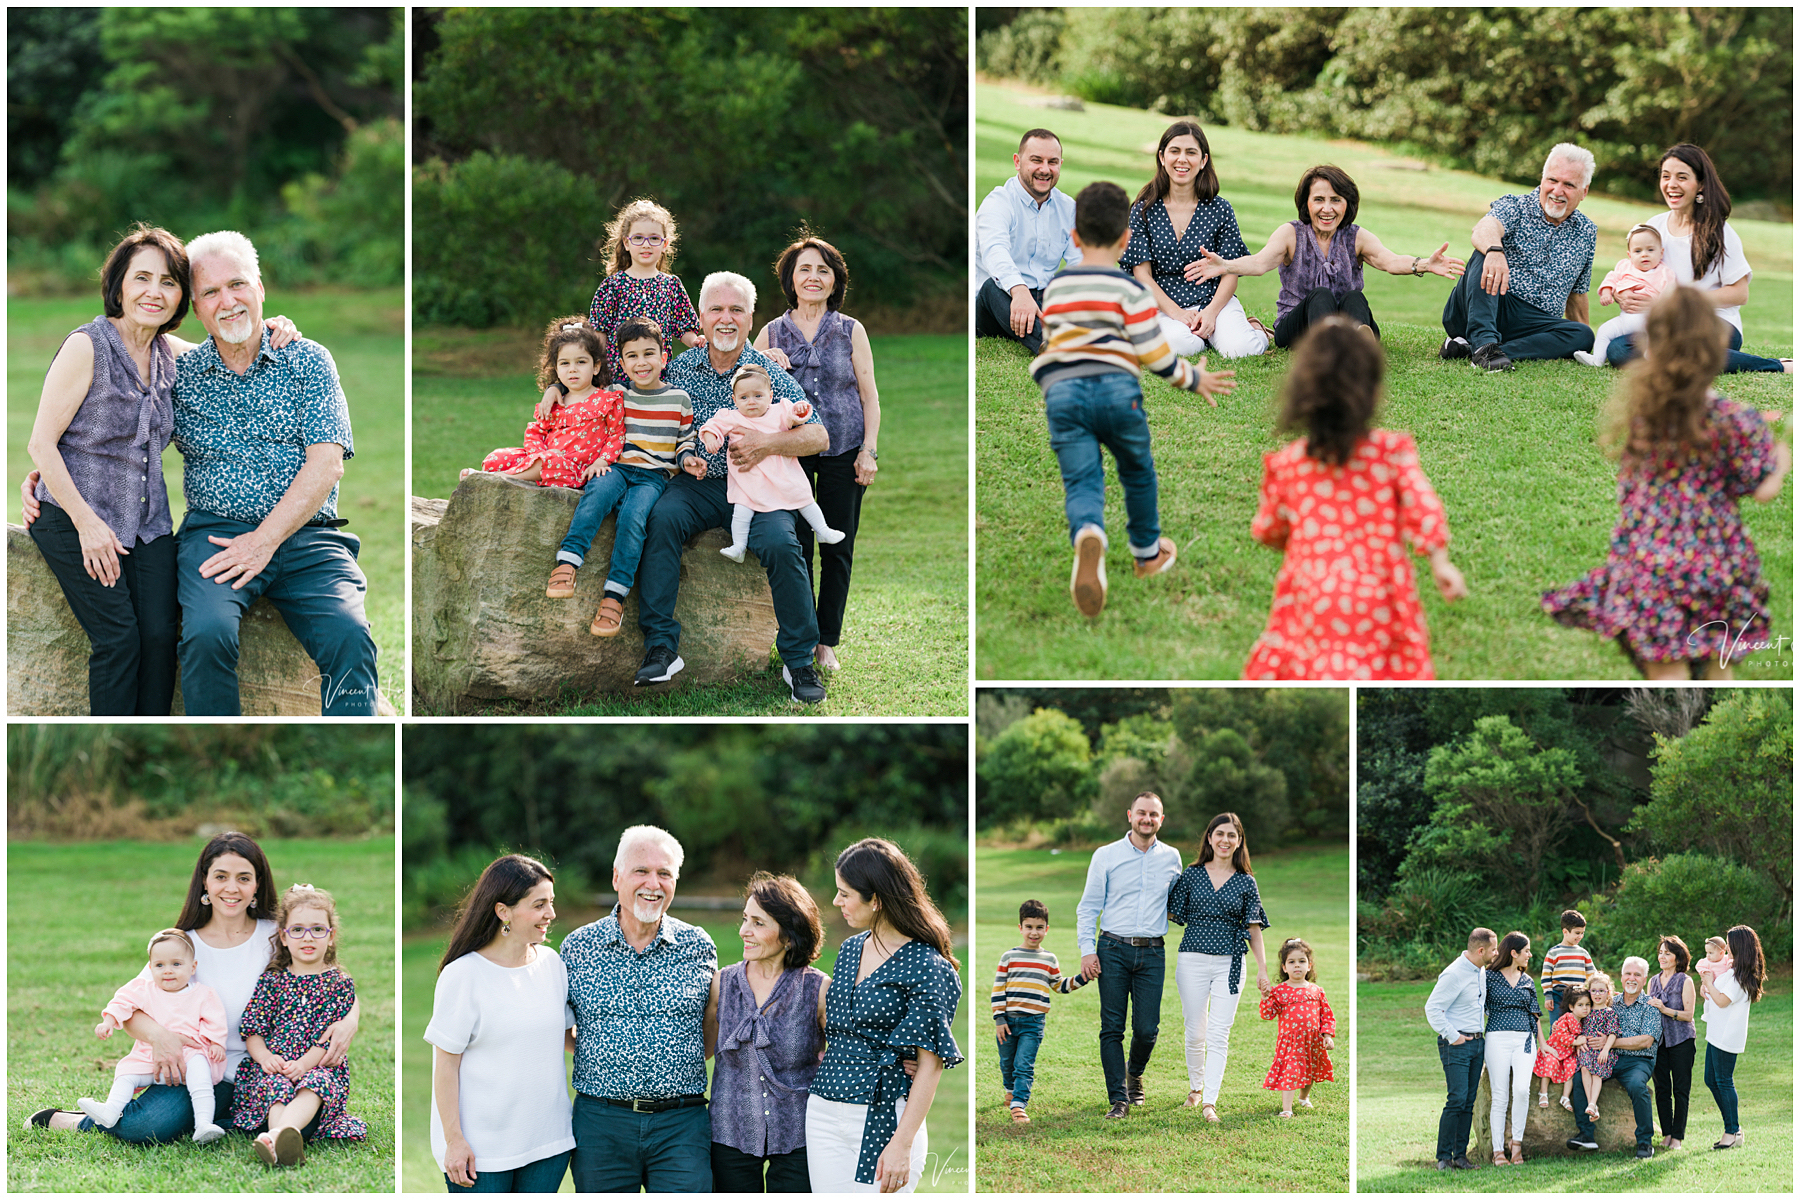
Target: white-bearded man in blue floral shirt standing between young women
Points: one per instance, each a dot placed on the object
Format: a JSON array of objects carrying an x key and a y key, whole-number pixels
[{"x": 640, "y": 985}]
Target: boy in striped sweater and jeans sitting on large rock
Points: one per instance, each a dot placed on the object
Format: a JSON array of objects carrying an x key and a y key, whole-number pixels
[{"x": 658, "y": 443}]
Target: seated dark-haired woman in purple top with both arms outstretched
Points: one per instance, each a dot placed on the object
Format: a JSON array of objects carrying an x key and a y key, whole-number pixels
[{"x": 1320, "y": 258}]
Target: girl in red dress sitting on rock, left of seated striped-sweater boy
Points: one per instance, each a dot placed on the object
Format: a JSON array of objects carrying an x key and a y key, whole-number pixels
[{"x": 586, "y": 427}]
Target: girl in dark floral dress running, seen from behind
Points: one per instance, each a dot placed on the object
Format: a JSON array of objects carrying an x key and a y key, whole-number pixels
[{"x": 1682, "y": 575}]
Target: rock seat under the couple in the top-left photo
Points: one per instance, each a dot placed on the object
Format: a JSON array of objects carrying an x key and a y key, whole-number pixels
[{"x": 48, "y": 654}]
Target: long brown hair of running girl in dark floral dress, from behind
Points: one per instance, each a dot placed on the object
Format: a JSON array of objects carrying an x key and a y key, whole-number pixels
[{"x": 1660, "y": 406}]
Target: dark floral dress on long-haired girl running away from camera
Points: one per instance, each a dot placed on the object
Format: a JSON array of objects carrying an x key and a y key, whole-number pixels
[{"x": 1680, "y": 562}]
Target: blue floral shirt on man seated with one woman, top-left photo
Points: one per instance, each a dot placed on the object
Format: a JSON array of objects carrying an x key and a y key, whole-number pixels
[{"x": 244, "y": 436}]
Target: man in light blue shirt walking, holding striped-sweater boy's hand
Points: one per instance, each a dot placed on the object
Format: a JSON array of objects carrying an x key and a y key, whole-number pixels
[{"x": 1120, "y": 926}]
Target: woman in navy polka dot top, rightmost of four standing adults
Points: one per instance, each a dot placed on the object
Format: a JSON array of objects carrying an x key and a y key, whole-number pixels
[{"x": 892, "y": 999}]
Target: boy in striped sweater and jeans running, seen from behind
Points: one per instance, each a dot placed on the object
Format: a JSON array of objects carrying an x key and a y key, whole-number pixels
[{"x": 1101, "y": 332}]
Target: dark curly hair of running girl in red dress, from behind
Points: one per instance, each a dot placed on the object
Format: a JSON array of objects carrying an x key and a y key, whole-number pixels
[{"x": 1333, "y": 390}]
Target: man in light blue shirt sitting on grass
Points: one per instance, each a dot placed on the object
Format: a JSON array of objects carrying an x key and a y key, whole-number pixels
[{"x": 1021, "y": 238}]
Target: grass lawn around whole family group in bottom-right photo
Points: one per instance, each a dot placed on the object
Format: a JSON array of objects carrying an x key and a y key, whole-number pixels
[{"x": 1401, "y": 1095}]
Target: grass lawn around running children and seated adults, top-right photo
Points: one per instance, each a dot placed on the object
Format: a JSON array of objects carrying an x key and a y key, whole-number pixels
[{"x": 1531, "y": 508}]
